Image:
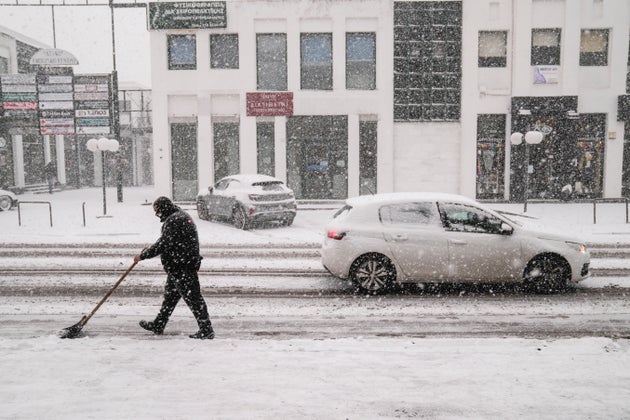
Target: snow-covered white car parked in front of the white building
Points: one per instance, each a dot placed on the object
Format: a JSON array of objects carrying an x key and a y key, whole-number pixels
[{"x": 248, "y": 199}]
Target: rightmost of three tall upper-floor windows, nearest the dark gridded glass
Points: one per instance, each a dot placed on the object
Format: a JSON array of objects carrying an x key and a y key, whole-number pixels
[{"x": 361, "y": 61}]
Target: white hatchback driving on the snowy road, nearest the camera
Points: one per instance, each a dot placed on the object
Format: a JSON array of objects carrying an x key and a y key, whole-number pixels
[{"x": 380, "y": 240}]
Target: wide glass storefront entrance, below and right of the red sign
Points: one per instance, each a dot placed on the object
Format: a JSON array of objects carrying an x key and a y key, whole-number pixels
[{"x": 317, "y": 156}]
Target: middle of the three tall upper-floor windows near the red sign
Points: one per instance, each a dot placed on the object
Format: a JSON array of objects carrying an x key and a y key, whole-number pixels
[{"x": 316, "y": 61}]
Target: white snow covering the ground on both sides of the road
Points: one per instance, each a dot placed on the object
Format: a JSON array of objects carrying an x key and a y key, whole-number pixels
[{"x": 144, "y": 377}]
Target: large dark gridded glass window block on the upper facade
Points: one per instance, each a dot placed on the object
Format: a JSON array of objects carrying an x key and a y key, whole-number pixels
[{"x": 427, "y": 60}]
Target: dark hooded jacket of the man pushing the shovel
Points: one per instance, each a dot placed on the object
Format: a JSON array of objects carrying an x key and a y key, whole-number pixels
[{"x": 178, "y": 246}]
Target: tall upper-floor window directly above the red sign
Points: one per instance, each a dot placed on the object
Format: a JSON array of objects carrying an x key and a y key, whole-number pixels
[{"x": 271, "y": 60}]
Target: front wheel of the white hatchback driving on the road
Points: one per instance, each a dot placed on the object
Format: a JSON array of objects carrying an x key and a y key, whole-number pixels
[{"x": 547, "y": 274}]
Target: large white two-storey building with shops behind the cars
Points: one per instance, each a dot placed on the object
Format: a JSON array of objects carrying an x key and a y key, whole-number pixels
[{"x": 347, "y": 97}]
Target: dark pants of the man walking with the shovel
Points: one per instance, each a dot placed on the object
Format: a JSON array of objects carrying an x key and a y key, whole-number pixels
[{"x": 183, "y": 284}]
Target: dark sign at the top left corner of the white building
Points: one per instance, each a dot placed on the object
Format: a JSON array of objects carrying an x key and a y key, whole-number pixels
[{"x": 187, "y": 15}]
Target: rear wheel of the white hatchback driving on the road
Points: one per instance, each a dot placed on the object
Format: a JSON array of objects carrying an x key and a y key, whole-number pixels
[{"x": 373, "y": 273}]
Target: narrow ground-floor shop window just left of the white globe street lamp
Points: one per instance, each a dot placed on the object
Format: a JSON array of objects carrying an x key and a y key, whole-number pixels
[{"x": 490, "y": 156}]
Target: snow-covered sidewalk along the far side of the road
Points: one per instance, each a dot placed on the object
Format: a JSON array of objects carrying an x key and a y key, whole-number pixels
[{"x": 133, "y": 222}]
